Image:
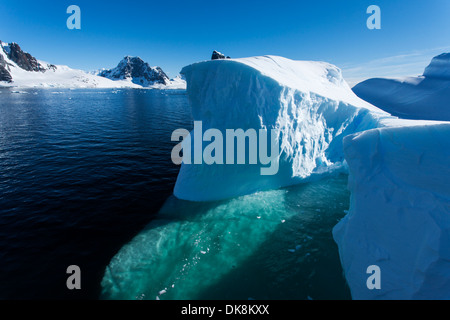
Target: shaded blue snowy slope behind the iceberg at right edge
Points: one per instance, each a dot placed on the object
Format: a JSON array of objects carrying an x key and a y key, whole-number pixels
[{"x": 423, "y": 97}]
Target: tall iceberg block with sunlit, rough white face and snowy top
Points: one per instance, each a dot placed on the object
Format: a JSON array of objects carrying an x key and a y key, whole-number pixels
[{"x": 308, "y": 104}]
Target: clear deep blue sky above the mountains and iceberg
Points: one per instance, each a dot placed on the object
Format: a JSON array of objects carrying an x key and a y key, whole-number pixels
[{"x": 172, "y": 34}]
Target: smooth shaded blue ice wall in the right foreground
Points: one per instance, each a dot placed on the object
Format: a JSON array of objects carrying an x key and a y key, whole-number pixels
[{"x": 399, "y": 217}]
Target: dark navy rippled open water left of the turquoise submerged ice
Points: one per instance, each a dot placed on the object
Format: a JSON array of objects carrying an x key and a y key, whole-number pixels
[{"x": 81, "y": 172}]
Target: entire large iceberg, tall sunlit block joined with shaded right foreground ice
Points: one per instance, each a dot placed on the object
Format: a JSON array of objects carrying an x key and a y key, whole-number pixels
[{"x": 399, "y": 173}]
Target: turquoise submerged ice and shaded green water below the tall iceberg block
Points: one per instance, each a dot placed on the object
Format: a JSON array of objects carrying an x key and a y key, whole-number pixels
[{"x": 270, "y": 245}]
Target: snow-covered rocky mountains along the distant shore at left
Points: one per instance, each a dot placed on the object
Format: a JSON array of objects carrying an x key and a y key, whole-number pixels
[{"x": 21, "y": 69}]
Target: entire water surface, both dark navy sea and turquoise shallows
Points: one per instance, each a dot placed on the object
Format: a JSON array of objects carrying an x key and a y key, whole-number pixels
[{"x": 86, "y": 179}]
